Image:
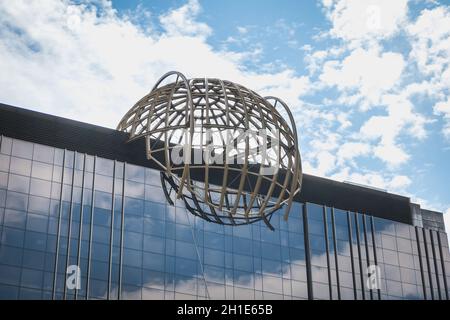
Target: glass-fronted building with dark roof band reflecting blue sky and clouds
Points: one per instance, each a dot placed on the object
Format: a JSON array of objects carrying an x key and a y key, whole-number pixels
[{"x": 75, "y": 194}]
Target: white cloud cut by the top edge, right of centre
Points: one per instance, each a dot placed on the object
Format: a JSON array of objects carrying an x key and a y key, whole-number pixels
[{"x": 356, "y": 21}]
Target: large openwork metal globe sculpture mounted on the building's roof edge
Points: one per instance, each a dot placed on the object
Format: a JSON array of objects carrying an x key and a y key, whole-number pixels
[{"x": 224, "y": 150}]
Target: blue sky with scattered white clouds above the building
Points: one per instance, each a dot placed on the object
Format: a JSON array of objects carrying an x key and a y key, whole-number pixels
[{"x": 367, "y": 80}]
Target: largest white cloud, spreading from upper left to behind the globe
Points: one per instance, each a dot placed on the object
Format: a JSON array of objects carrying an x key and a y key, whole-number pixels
[{"x": 87, "y": 63}]
